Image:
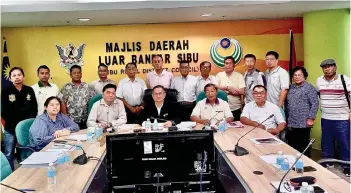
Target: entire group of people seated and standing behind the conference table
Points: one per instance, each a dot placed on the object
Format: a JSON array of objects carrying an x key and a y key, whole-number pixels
[{"x": 251, "y": 99}]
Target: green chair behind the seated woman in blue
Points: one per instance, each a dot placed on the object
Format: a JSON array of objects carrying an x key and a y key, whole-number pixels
[{"x": 22, "y": 134}]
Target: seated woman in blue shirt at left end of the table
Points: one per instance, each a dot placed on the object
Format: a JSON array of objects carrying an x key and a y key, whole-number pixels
[{"x": 50, "y": 125}]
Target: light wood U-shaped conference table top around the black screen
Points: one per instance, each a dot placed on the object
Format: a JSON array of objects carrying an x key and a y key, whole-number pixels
[{"x": 79, "y": 177}]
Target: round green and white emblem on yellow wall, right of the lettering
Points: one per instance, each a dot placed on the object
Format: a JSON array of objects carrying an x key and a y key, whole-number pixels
[{"x": 226, "y": 43}]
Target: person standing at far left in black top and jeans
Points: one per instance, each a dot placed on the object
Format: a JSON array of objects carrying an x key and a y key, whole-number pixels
[{"x": 18, "y": 103}]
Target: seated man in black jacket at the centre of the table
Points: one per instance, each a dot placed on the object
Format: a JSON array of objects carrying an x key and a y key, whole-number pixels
[{"x": 161, "y": 108}]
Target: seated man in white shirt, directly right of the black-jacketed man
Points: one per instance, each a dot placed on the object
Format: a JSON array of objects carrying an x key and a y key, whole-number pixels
[{"x": 211, "y": 107}]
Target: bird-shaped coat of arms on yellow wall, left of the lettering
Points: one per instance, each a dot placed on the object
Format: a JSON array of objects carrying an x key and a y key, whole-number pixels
[{"x": 70, "y": 55}]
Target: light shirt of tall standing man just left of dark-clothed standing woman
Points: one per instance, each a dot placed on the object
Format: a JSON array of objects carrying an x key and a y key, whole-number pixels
[{"x": 277, "y": 80}]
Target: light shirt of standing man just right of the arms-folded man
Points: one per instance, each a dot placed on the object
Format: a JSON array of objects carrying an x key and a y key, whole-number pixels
[{"x": 251, "y": 80}]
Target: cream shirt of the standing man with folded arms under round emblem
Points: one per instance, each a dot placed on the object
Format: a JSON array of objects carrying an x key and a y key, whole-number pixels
[{"x": 235, "y": 80}]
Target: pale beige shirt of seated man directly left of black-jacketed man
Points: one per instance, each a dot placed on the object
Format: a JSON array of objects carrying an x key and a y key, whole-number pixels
[{"x": 103, "y": 113}]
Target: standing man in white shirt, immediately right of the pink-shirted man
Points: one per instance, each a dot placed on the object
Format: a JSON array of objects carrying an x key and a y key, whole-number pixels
[{"x": 186, "y": 85}]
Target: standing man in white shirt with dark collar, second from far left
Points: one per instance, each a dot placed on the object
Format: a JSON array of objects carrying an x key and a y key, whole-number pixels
[{"x": 43, "y": 89}]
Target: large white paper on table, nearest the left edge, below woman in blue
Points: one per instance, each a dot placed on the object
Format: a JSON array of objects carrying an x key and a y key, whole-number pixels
[{"x": 41, "y": 158}]
